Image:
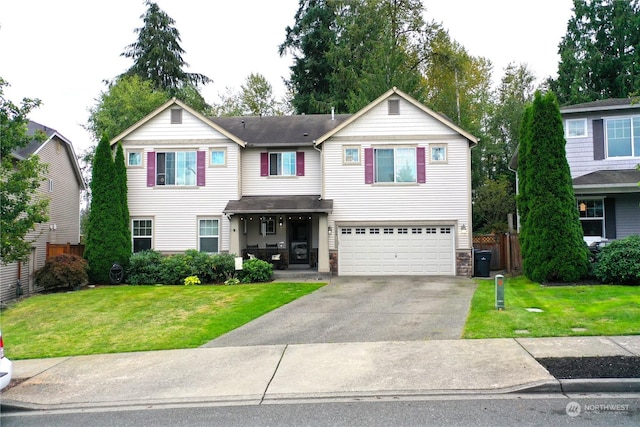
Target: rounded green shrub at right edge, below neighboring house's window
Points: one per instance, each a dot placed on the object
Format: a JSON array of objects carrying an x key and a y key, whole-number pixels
[{"x": 619, "y": 262}]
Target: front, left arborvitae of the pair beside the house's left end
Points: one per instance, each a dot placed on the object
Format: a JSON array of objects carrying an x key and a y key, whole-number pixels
[{"x": 104, "y": 245}]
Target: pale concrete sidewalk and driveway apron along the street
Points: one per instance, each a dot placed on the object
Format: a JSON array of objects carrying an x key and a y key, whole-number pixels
[{"x": 285, "y": 373}]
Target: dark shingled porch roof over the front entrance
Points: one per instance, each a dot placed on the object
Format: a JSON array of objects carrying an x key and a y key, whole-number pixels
[{"x": 279, "y": 205}]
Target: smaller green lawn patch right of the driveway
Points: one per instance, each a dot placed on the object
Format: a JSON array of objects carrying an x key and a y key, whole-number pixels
[{"x": 599, "y": 310}]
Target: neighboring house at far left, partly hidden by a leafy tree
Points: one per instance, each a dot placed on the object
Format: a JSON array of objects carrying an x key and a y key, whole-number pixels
[{"x": 63, "y": 187}]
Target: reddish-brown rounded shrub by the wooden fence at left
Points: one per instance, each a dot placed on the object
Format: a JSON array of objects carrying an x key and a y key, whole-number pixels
[{"x": 62, "y": 271}]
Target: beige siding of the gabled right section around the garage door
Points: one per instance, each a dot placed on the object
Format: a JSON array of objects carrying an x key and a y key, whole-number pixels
[{"x": 443, "y": 199}]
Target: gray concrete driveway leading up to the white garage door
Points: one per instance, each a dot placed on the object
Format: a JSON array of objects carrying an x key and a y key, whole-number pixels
[{"x": 364, "y": 309}]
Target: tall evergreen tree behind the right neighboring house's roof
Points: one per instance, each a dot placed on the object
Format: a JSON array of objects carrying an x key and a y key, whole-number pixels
[{"x": 600, "y": 53}]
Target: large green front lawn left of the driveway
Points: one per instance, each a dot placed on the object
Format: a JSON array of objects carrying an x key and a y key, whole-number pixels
[{"x": 136, "y": 318}]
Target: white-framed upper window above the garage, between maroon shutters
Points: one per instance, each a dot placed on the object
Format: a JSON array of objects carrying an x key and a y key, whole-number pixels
[{"x": 395, "y": 164}]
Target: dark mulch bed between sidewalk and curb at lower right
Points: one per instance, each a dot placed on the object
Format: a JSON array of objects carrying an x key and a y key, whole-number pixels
[{"x": 592, "y": 367}]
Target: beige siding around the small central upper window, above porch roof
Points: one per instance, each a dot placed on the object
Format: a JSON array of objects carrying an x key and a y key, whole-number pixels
[{"x": 255, "y": 185}]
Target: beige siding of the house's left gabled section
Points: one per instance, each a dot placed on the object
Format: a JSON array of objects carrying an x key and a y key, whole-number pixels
[{"x": 175, "y": 209}]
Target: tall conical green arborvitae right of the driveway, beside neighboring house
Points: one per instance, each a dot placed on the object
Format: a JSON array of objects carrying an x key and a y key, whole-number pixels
[{"x": 553, "y": 248}]
